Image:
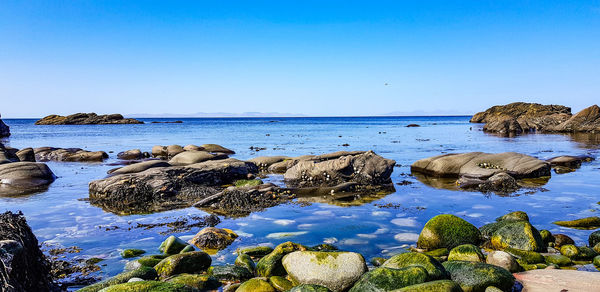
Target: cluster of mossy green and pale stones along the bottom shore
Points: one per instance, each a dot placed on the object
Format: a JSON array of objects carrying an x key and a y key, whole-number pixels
[{"x": 451, "y": 255}]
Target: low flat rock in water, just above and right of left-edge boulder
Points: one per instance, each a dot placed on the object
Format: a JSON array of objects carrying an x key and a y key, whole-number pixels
[{"x": 68, "y": 154}]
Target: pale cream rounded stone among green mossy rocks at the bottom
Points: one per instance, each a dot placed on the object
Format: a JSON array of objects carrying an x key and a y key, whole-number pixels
[{"x": 337, "y": 271}]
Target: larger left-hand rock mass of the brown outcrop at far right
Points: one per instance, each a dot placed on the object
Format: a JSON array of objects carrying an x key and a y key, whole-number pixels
[{"x": 520, "y": 117}]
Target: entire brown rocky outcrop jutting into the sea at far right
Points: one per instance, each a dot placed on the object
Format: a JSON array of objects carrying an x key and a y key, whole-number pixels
[{"x": 520, "y": 117}]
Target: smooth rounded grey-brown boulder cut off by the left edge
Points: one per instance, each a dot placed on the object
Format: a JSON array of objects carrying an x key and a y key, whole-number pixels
[{"x": 20, "y": 178}]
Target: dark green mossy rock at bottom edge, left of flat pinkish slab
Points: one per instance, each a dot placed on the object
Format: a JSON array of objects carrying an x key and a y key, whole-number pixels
[{"x": 475, "y": 277}]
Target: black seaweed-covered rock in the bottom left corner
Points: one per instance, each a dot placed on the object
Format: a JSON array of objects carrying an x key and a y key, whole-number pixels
[{"x": 23, "y": 267}]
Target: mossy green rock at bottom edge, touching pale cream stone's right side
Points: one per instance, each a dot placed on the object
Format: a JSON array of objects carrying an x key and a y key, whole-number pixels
[{"x": 387, "y": 279}]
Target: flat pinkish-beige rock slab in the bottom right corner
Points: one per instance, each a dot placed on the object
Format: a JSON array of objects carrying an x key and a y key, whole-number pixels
[{"x": 558, "y": 280}]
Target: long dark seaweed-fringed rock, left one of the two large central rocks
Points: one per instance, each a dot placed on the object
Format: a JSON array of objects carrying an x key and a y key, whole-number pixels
[{"x": 164, "y": 188}]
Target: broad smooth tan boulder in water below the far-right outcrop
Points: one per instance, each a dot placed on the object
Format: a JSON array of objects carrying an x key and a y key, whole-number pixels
[{"x": 482, "y": 165}]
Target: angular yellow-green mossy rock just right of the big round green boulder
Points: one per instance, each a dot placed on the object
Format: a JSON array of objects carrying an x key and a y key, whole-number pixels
[{"x": 516, "y": 234}]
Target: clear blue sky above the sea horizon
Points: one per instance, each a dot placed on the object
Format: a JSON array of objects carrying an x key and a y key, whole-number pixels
[{"x": 307, "y": 57}]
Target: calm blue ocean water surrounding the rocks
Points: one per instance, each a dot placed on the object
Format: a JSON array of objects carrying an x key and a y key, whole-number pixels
[{"x": 374, "y": 226}]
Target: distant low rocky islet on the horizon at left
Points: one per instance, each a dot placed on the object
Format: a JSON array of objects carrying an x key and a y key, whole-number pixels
[{"x": 86, "y": 119}]
